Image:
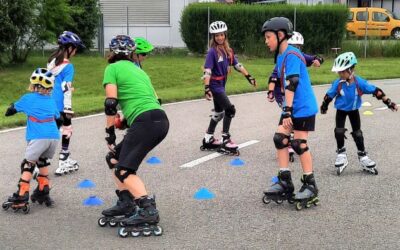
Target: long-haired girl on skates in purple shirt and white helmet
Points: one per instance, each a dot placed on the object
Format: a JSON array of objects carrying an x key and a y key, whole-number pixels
[{"x": 220, "y": 58}]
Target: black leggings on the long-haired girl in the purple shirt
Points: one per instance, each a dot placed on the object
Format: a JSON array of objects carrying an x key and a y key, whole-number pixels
[{"x": 221, "y": 103}]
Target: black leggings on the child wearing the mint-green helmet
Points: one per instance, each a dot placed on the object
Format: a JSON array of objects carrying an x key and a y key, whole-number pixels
[{"x": 355, "y": 122}]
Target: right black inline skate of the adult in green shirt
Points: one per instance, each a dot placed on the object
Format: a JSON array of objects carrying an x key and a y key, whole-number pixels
[{"x": 143, "y": 222}]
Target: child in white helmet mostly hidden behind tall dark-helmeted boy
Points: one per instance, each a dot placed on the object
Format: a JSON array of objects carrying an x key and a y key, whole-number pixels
[{"x": 275, "y": 91}]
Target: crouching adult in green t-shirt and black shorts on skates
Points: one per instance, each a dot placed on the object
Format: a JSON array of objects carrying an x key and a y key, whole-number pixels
[{"x": 130, "y": 87}]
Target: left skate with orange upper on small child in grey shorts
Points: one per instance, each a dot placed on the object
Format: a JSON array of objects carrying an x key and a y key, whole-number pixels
[{"x": 17, "y": 201}]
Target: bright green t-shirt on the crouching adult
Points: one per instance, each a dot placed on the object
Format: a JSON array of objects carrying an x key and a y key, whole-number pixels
[{"x": 135, "y": 91}]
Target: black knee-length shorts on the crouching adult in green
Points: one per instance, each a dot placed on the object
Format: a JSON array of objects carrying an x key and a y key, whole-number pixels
[{"x": 146, "y": 132}]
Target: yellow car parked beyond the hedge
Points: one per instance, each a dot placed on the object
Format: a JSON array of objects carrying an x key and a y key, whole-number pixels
[{"x": 380, "y": 22}]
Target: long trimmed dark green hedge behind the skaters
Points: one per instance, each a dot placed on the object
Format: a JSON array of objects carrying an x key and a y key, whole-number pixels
[{"x": 323, "y": 26}]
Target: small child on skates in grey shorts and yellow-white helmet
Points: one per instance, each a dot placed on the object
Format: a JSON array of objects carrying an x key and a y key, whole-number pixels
[{"x": 42, "y": 136}]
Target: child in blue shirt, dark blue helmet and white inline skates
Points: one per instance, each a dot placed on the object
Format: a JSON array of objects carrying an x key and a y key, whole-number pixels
[{"x": 59, "y": 64}]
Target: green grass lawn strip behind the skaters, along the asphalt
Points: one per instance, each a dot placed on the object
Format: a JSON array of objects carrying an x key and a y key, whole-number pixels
[{"x": 175, "y": 77}]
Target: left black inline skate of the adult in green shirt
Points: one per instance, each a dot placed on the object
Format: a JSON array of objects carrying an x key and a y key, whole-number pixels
[{"x": 124, "y": 208}]
